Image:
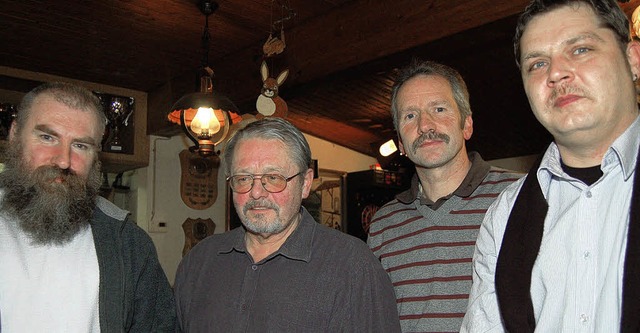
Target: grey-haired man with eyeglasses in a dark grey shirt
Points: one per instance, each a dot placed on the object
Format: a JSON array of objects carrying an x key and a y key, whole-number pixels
[{"x": 282, "y": 271}]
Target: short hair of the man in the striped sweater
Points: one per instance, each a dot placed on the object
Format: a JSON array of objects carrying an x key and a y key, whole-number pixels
[{"x": 429, "y": 68}]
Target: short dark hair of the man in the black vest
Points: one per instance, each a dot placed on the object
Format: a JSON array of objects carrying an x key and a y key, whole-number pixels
[{"x": 608, "y": 12}]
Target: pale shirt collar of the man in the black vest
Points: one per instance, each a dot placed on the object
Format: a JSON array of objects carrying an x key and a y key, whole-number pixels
[{"x": 623, "y": 152}]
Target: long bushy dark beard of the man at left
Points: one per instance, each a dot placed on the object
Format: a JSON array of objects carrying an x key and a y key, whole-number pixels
[{"x": 49, "y": 211}]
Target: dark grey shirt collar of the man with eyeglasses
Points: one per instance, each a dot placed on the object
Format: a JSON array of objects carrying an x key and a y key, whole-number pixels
[{"x": 298, "y": 245}]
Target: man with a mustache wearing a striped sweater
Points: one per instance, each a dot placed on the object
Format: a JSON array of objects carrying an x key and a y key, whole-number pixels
[{"x": 425, "y": 237}]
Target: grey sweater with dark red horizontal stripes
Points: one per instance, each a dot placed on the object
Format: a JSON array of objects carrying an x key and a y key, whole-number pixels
[{"x": 427, "y": 252}]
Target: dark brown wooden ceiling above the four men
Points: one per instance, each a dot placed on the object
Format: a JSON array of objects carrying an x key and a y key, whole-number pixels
[{"x": 342, "y": 56}]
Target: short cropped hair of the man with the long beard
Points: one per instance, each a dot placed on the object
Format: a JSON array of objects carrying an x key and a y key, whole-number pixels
[{"x": 73, "y": 96}]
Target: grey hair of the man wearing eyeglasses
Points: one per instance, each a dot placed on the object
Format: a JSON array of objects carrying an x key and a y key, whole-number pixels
[{"x": 272, "y": 128}]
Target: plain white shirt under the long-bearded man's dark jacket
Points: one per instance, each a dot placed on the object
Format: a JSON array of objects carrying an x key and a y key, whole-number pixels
[{"x": 47, "y": 288}]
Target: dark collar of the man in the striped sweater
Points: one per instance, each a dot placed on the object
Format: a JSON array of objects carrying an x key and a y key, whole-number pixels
[{"x": 473, "y": 179}]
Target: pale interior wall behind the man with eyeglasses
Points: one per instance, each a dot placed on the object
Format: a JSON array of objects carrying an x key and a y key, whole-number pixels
[{"x": 164, "y": 204}]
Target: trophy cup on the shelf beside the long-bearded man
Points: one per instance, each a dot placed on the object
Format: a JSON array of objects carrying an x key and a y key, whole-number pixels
[{"x": 118, "y": 110}]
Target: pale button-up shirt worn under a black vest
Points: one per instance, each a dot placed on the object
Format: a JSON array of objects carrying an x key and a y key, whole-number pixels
[{"x": 577, "y": 278}]
